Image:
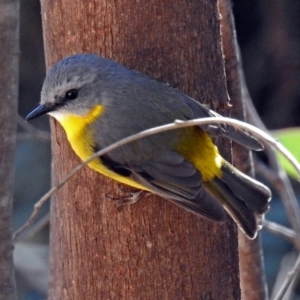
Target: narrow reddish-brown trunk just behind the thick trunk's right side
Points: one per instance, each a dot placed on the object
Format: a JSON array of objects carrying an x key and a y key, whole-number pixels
[{"x": 253, "y": 282}]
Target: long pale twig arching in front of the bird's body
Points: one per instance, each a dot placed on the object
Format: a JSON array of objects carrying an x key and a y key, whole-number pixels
[{"x": 172, "y": 126}]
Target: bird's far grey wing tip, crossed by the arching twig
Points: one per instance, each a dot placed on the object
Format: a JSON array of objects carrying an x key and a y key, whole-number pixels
[{"x": 241, "y": 137}]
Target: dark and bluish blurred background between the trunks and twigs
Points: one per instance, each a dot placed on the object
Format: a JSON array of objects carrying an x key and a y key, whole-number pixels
[{"x": 269, "y": 37}]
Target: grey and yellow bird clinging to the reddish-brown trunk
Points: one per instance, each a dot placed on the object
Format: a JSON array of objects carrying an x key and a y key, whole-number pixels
[{"x": 98, "y": 102}]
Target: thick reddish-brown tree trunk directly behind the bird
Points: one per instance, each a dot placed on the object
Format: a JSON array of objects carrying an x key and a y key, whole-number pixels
[{"x": 152, "y": 249}]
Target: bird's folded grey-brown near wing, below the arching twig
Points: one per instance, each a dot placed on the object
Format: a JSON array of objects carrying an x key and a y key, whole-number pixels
[{"x": 176, "y": 179}]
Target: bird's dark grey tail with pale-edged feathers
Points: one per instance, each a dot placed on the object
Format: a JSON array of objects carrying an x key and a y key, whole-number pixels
[{"x": 245, "y": 199}]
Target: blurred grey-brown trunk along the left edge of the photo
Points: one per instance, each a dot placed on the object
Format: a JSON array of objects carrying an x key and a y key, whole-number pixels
[{"x": 9, "y": 62}]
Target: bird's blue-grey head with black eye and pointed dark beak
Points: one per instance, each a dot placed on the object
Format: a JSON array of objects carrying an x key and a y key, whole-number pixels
[{"x": 71, "y": 87}]
